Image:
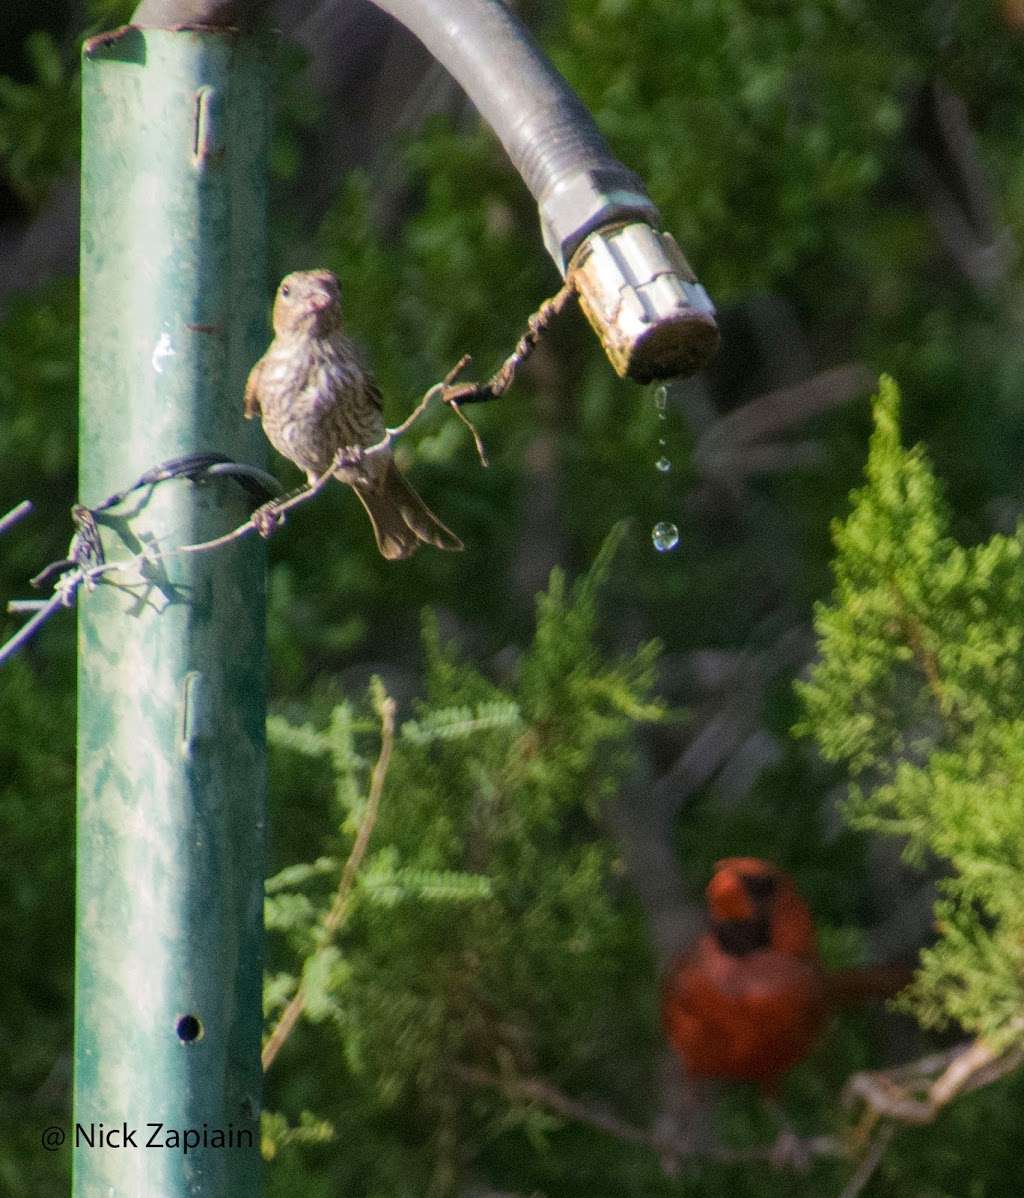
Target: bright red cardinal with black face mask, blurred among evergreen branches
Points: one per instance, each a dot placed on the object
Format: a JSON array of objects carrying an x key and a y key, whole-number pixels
[{"x": 749, "y": 1000}]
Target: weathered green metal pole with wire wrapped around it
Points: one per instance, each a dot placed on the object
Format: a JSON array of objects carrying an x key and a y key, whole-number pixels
[{"x": 172, "y": 692}]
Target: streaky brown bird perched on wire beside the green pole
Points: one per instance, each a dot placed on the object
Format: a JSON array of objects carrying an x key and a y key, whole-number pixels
[{"x": 317, "y": 398}]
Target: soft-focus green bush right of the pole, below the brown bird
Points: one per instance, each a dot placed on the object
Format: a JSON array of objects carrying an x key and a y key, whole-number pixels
[{"x": 487, "y": 927}]
